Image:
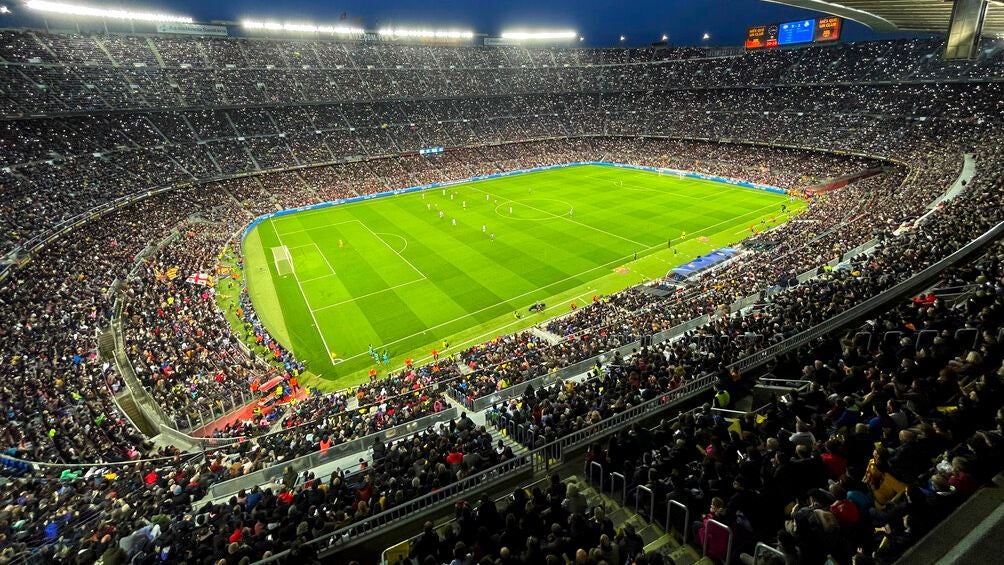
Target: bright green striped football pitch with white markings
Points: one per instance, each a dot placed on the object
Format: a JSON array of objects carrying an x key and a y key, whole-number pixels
[{"x": 405, "y": 272}]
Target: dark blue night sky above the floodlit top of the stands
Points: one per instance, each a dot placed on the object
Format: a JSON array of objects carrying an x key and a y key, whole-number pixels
[{"x": 602, "y": 23}]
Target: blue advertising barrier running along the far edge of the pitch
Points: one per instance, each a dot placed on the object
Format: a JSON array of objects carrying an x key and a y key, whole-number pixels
[{"x": 688, "y": 174}]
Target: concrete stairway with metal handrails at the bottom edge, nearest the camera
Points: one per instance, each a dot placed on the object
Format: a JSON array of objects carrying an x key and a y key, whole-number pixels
[{"x": 657, "y": 539}]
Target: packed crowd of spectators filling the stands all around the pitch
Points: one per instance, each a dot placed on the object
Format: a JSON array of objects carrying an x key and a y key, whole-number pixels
[{"x": 139, "y": 501}]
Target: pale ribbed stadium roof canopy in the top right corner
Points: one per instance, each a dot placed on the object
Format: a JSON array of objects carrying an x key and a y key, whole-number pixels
[{"x": 900, "y": 16}]
